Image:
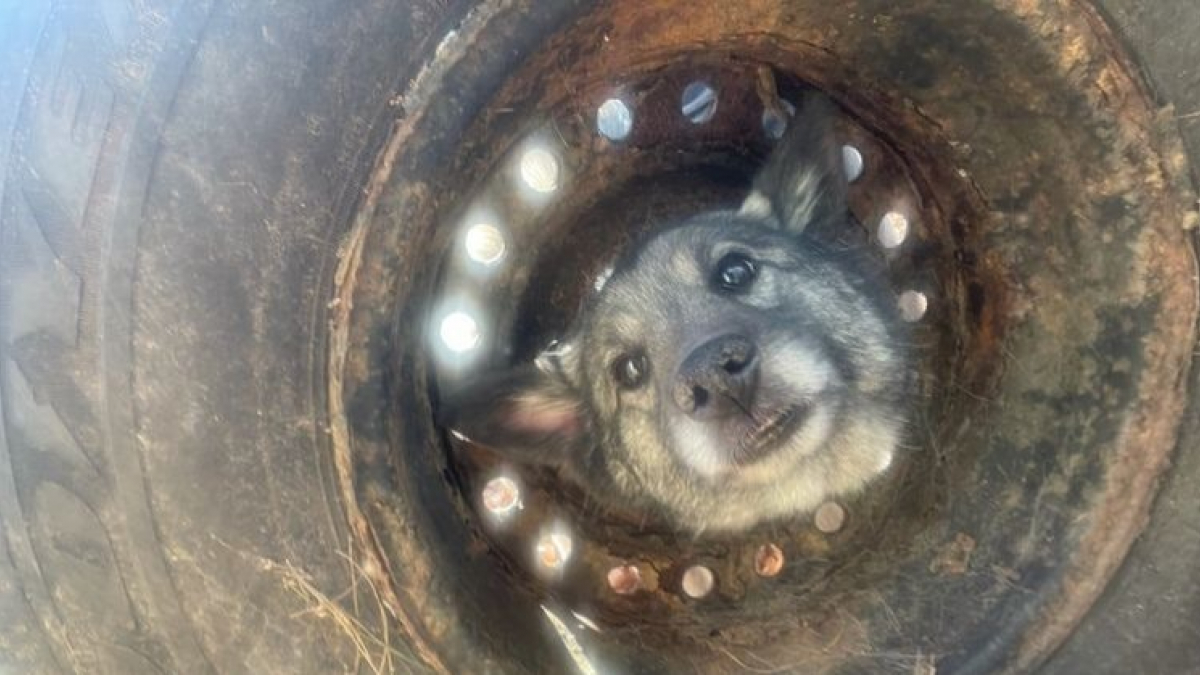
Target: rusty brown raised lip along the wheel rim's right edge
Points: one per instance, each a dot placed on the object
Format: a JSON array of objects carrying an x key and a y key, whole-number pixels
[{"x": 1143, "y": 452}]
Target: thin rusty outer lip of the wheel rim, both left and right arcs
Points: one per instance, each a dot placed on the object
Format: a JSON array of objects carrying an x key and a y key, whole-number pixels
[{"x": 1123, "y": 510}]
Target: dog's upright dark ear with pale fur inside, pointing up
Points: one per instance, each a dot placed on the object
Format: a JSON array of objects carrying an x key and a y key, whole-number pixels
[{"x": 803, "y": 182}]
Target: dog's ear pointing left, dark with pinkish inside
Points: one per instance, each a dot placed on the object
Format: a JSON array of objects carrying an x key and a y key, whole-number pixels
[{"x": 525, "y": 414}]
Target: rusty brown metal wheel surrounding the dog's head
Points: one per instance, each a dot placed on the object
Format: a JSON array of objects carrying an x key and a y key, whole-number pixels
[{"x": 1051, "y": 362}]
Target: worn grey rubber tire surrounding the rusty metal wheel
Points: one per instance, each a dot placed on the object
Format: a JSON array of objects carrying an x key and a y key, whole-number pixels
[{"x": 177, "y": 177}]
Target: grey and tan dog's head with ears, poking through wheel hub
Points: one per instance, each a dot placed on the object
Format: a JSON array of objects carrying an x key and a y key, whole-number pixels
[{"x": 731, "y": 371}]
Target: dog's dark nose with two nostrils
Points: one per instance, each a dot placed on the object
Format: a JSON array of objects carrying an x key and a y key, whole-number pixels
[{"x": 719, "y": 378}]
